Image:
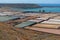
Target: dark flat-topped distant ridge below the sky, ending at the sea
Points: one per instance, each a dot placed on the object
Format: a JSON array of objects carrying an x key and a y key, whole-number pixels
[{"x": 20, "y": 5}]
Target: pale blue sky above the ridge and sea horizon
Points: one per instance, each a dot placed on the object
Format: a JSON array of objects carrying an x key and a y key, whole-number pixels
[{"x": 31, "y": 1}]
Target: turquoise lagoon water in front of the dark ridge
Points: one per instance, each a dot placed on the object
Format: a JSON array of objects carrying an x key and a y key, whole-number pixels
[{"x": 47, "y": 9}]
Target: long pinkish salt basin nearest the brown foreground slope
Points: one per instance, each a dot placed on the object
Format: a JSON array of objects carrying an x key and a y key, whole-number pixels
[{"x": 52, "y": 31}]
